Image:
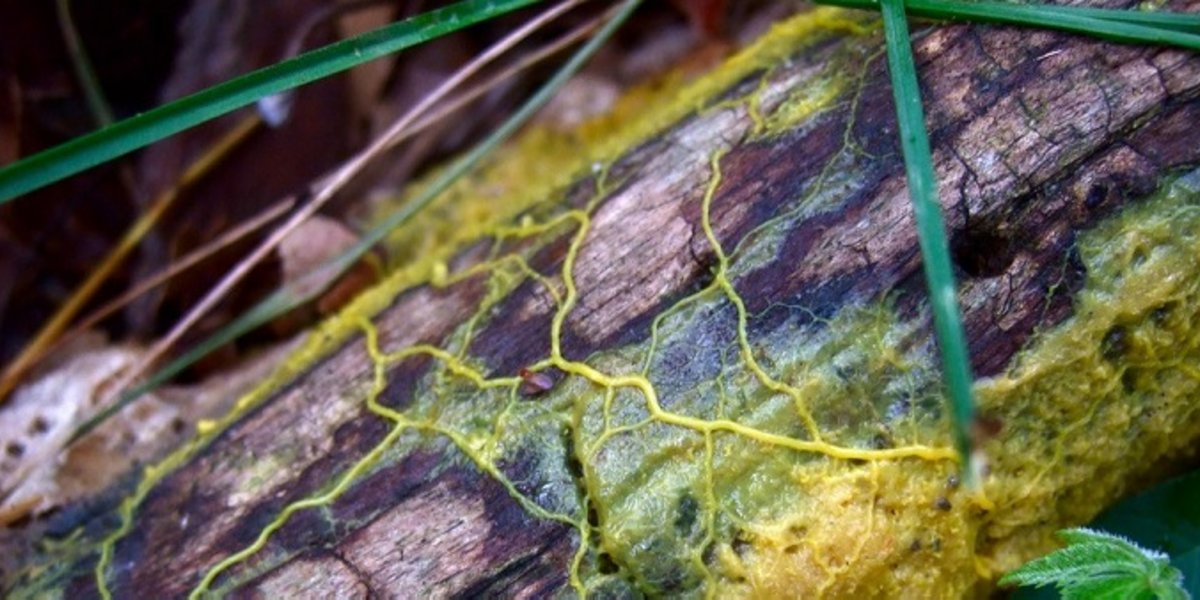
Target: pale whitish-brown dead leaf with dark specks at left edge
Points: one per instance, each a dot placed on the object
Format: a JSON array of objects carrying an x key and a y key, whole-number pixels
[{"x": 40, "y": 473}]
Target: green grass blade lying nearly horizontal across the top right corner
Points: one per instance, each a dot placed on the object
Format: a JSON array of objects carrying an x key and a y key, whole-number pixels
[{"x": 1115, "y": 26}]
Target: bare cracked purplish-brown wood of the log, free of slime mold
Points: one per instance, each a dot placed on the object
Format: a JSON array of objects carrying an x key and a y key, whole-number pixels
[{"x": 1037, "y": 136}]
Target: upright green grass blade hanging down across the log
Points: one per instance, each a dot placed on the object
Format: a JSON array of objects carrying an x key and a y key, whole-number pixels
[{"x": 931, "y": 231}]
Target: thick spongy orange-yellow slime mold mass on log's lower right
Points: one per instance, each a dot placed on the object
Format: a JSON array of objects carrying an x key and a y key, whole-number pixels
[{"x": 1093, "y": 406}]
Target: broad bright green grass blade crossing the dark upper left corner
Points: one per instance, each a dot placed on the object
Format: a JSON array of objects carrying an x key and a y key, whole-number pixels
[{"x": 133, "y": 134}]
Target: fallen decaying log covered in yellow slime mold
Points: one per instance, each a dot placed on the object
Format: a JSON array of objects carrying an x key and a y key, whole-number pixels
[{"x": 698, "y": 357}]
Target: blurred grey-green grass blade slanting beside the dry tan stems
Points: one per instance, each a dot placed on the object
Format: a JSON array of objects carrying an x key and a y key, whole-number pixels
[{"x": 286, "y": 299}]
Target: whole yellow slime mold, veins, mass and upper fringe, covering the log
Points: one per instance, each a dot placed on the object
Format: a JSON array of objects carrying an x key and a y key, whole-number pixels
[{"x": 715, "y": 455}]
